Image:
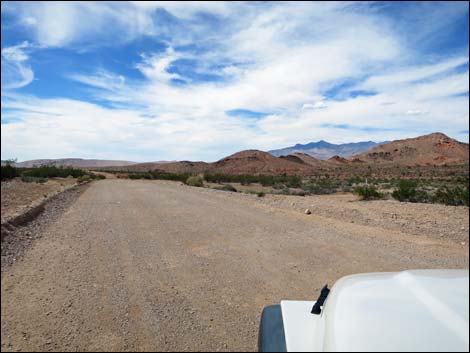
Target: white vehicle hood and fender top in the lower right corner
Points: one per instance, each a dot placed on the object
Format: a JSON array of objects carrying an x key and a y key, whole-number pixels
[{"x": 423, "y": 310}]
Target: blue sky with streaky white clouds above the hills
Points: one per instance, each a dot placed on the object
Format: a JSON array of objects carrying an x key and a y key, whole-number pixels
[{"x": 150, "y": 81}]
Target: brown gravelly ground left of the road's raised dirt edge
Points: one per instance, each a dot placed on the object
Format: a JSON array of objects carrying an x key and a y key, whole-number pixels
[{"x": 18, "y": 196}]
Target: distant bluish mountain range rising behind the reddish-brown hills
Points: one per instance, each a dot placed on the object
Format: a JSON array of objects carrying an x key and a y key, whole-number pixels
[{"x": 324, "y": 150}]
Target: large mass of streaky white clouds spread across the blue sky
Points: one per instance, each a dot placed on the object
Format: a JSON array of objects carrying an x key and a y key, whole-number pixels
[{"x": 277, "y": 58}]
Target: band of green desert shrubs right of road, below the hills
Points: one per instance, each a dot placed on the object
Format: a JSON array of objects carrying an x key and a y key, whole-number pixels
[{"x": 449, "y": 188}]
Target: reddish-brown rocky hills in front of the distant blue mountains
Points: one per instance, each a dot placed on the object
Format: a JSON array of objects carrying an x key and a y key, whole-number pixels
[{"x": 433, "y": 149}]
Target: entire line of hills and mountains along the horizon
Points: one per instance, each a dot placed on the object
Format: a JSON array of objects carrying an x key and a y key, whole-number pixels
[{"x": 428, "y": 150}]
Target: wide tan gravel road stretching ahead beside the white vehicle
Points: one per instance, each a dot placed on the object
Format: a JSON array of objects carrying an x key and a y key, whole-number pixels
[{"x": 154, "y": 265}]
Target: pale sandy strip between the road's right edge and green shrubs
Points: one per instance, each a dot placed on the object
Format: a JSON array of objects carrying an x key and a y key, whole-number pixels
[{"x": 411, "y": 219}]
